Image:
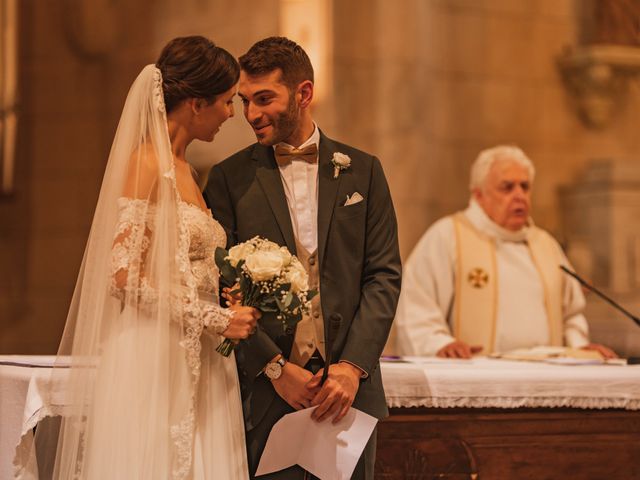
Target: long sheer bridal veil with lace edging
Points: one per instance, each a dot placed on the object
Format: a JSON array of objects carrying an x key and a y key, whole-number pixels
[{"x": 130, "y": 357}]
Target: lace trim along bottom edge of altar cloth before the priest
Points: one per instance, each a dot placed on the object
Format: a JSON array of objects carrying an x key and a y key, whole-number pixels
[{"x": 515, "y": 402}]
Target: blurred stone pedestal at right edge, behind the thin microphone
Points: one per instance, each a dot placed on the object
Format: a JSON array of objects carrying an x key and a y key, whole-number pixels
[{"x": 601, "y": 211}]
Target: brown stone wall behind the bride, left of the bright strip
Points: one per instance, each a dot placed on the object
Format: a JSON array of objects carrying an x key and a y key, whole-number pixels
[{"x": 77, "y": 62}]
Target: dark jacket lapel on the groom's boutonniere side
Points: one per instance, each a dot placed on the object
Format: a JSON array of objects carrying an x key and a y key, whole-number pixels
[{"x": 328, "y": 189}]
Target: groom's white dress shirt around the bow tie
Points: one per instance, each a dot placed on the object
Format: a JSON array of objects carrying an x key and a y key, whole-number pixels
[{"x": 300, "y": 182}]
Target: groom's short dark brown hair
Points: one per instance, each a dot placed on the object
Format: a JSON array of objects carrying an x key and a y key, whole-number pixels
[{"x": 272, "y": 53}]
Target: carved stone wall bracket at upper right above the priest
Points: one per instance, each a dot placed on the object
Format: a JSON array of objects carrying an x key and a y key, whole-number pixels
[{"x": 598, "y": 77}]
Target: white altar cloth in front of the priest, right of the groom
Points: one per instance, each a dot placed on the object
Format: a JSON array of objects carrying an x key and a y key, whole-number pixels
[{"x": 492, "y": 383}]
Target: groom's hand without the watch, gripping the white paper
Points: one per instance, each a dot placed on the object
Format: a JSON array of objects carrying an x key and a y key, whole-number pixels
[{"x": 338, "y": 392}]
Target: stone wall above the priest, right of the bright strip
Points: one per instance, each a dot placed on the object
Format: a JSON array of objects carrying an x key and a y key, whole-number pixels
[{"x": 427, "y": 84}]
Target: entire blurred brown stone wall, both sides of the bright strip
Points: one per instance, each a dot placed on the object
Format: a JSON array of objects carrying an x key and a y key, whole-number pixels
[{"x": 423, "y": 84}]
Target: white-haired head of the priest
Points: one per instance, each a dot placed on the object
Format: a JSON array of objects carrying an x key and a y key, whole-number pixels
[{"x": 501, "y": 180}]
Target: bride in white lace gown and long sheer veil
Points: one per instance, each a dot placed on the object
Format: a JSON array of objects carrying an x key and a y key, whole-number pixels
[{"x": 150, "y": 398}]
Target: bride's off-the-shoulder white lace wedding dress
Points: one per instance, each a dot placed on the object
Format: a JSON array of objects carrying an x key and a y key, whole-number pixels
[{"x": 210, "y": 443}]
